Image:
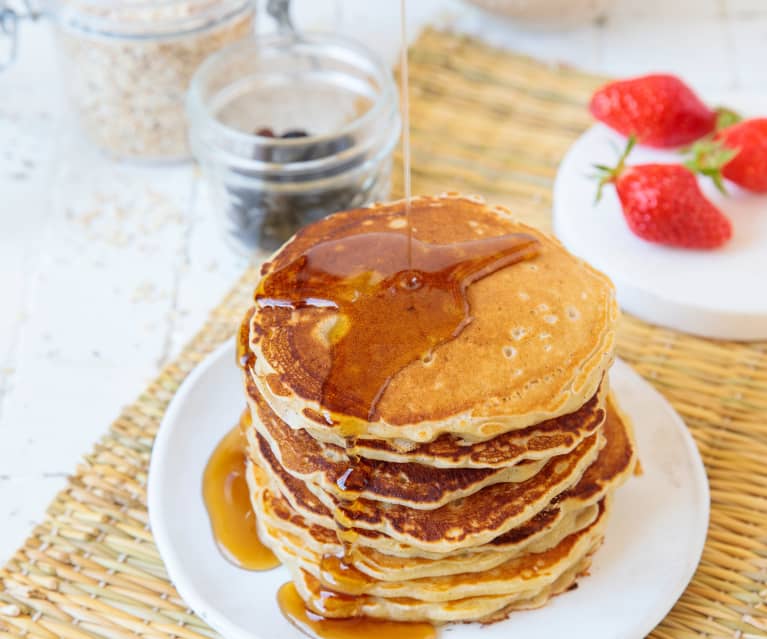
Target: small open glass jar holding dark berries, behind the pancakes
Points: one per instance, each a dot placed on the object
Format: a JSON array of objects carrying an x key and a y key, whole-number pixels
[{"x": 290, "y": 129}]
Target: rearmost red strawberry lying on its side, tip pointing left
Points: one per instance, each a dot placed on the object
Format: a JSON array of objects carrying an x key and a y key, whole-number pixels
[{"x": 659, "y": 110}]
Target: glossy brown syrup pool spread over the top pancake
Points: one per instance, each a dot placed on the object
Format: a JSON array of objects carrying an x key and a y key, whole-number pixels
[{"x": 397, "y": 299}]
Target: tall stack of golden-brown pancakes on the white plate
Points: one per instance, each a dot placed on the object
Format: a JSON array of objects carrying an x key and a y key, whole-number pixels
[{"x": 483, "y": 482}]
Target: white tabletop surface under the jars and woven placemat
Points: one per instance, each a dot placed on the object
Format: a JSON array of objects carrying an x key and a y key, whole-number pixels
[{"x": 106, "y": 270}]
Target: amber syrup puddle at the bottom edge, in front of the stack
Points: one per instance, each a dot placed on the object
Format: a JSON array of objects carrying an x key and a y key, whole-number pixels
[{"x": 319, "y": 627}]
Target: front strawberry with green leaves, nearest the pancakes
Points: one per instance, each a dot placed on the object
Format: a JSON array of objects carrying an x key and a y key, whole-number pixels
[{"x": 662, "y": 203}]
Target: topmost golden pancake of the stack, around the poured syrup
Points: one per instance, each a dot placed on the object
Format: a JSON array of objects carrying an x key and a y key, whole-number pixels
[{"x": 539, "y": 341}]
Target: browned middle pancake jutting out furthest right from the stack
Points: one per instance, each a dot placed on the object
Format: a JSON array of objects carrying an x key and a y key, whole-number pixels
[{"x": 509, "y": 508}]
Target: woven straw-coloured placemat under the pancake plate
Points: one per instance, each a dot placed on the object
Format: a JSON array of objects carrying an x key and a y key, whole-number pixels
[{"x": 483, "y": 122}]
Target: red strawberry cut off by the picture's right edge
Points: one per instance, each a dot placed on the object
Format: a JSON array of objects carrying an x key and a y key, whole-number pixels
[{"x": 749, "y": 166}]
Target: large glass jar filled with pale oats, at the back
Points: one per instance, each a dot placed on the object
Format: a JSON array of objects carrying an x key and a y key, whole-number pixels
[{"x": 127, "y": 66}]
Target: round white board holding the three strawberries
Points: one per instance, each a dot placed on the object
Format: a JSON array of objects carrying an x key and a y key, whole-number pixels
[{"x": 719, "y": 293}]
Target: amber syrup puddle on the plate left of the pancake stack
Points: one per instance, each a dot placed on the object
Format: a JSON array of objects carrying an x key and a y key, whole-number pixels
[{"x": 227, "y": 499}]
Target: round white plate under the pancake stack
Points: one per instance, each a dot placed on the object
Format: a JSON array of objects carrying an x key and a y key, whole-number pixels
[{"x": 653, "y": 543}]
